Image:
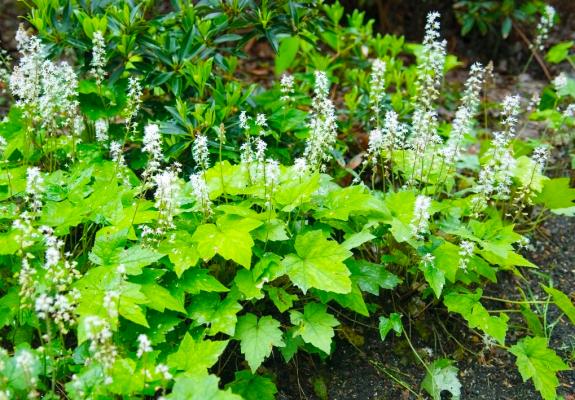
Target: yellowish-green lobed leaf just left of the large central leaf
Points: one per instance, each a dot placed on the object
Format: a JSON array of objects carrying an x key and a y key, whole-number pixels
[{"x": 230, "y": 238}]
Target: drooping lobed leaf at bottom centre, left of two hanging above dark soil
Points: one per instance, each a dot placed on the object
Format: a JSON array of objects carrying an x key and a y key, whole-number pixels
[{"x": 257, "y": 338}]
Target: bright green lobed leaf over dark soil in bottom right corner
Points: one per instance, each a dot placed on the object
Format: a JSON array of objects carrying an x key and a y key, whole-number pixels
[{"x": 539, "y": 363}]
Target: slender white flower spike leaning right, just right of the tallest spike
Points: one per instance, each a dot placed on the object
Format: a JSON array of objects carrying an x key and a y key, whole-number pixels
[{"x": 463, "y": 121}]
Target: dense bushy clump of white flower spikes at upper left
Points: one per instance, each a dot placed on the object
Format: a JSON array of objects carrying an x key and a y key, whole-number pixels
[{"x": 46, "y": 90}]
